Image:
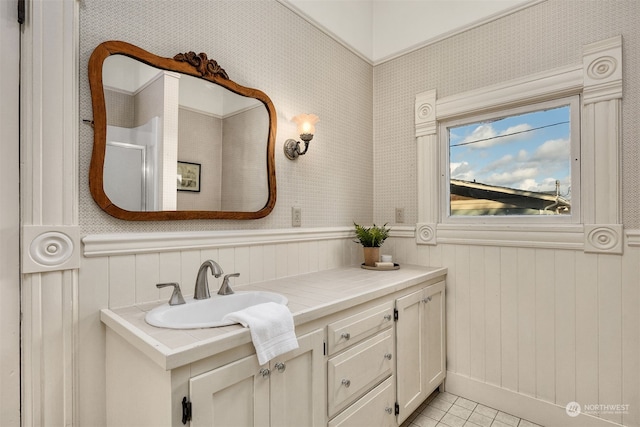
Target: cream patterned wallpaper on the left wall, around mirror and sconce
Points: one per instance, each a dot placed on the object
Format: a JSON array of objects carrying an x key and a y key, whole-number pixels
[{"x": 261, "y": 44}]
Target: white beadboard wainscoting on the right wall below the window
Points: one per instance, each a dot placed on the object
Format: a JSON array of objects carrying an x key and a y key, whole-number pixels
[{"x": 530, "y": 330}]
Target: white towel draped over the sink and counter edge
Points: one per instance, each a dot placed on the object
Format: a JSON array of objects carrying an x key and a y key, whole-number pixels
[{"x": 271, "y": 327}]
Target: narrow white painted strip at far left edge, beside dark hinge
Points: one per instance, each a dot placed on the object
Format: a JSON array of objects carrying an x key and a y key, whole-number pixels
[{"x": 9, "y": 217}]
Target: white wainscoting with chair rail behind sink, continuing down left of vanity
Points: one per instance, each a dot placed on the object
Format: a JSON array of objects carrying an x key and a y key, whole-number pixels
[{"x": 122, "y": 269}]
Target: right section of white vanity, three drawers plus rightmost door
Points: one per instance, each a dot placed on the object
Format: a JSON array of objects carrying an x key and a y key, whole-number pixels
[{"x": 379, "y": 371}]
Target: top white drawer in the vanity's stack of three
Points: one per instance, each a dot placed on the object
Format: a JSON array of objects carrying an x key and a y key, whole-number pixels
[{"x": 353, "y": 329}]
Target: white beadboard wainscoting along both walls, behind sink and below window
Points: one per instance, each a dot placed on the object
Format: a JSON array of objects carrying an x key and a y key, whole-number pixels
[{"x": 528, "y": 329}]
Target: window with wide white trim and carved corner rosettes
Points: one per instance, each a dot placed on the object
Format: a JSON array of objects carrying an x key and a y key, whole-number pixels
[{"x": 587, "y": 219}]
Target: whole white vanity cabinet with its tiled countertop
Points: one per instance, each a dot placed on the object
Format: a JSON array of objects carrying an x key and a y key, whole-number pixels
[{"x": 369, "y": 354}]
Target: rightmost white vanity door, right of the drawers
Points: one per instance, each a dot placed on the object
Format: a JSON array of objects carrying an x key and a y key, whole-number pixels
[{"x": 420, "y": 346}]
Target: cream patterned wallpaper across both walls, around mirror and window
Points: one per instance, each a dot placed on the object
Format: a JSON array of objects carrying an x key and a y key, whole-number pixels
[{"x": 361, "y": 164}]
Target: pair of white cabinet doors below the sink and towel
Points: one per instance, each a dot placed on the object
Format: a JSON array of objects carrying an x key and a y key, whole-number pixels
[{"x": 287, "y": 392}]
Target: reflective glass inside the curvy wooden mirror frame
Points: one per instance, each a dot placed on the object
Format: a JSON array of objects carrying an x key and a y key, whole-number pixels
[{"x": 177, "y": 142}]
